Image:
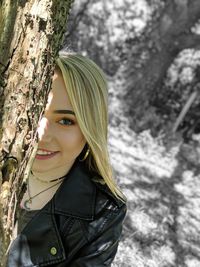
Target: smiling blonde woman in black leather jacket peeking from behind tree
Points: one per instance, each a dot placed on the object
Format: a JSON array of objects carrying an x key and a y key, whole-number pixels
[{"x": 72, "y": 212}]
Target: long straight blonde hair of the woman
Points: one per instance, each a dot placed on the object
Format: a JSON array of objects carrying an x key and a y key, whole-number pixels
[{"x": 87, "y": 90}]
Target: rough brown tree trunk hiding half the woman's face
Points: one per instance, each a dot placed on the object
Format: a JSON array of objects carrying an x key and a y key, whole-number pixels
[{"x": 31, "y": 34}]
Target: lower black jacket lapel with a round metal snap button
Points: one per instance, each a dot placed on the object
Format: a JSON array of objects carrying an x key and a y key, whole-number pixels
[{"x": 43, "y": 240}]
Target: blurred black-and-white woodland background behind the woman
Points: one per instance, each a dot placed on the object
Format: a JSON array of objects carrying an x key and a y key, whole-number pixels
[{"x": 150, "y": 52}]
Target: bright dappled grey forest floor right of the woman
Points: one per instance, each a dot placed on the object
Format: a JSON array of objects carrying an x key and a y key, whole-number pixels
[{"x": 161, "y": 180}]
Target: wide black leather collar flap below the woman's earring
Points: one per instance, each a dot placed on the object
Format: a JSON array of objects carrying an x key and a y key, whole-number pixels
[{"x": 76, "y": 196}]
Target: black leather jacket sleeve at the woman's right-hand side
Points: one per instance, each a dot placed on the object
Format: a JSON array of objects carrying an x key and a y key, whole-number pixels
[{"x": 101, "y": 249}]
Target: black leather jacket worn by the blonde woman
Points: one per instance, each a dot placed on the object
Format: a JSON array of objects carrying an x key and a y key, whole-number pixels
[{"x": 79, "y": 227}]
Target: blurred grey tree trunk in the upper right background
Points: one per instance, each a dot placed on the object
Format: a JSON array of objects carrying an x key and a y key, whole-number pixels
[{"x": 170, "y": 34}]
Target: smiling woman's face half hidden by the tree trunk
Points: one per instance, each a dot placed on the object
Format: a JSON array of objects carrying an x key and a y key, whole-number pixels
[{"x": 59, "y": 133}]
